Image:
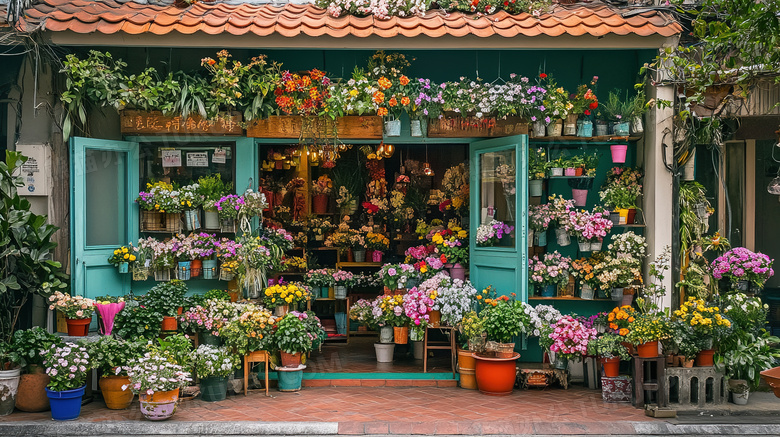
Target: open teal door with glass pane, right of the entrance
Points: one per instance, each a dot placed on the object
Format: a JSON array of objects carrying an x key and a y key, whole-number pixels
[{"x": 499, "y": 179}]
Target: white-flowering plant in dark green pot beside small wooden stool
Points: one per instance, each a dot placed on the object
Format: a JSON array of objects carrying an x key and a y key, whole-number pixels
[{"x": 213, "y": 365}]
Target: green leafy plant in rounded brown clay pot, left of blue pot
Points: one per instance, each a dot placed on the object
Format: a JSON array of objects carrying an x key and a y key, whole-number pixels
[{"x": 29, "y": 344}]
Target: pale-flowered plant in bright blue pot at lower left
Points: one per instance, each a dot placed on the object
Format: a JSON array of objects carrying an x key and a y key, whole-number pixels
[{"x": 67, "y": 368}]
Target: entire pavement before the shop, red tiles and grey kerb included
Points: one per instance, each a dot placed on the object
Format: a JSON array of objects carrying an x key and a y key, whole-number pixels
[{"x": 401, "y": 410}]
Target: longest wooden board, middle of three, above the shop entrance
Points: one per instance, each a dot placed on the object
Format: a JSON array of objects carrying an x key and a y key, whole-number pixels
[{"x": 290, "y": 126}]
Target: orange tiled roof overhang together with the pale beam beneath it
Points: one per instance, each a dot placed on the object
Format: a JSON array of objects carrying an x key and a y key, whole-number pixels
[{"x": 127, "y": 23}]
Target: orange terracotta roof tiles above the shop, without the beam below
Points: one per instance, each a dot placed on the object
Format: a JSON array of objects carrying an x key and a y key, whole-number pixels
[{"x": 290, "y": 20}]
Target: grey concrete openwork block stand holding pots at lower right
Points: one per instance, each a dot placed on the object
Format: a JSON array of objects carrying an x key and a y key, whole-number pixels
[{"x": 695, "y": 386}]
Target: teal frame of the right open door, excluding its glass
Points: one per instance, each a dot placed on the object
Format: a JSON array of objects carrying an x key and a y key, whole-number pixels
[{"x": 505, "y": 268}]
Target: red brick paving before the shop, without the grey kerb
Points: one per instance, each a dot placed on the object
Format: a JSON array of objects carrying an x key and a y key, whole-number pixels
[{"x": 402, "y": 410}]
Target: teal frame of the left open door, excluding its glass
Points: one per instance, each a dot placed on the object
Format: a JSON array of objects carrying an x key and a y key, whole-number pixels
[{"x": 91, "y": 274}]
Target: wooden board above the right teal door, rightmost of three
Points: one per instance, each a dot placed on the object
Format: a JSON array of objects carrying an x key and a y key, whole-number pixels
[{"x": 473, "y": 127}]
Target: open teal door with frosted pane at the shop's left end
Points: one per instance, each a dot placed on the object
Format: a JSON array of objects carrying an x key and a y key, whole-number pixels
[{"x": 104, "y": 216}]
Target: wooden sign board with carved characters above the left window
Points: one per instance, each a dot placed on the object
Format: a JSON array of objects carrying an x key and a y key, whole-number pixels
[{"x": 155, "y": 123}]
